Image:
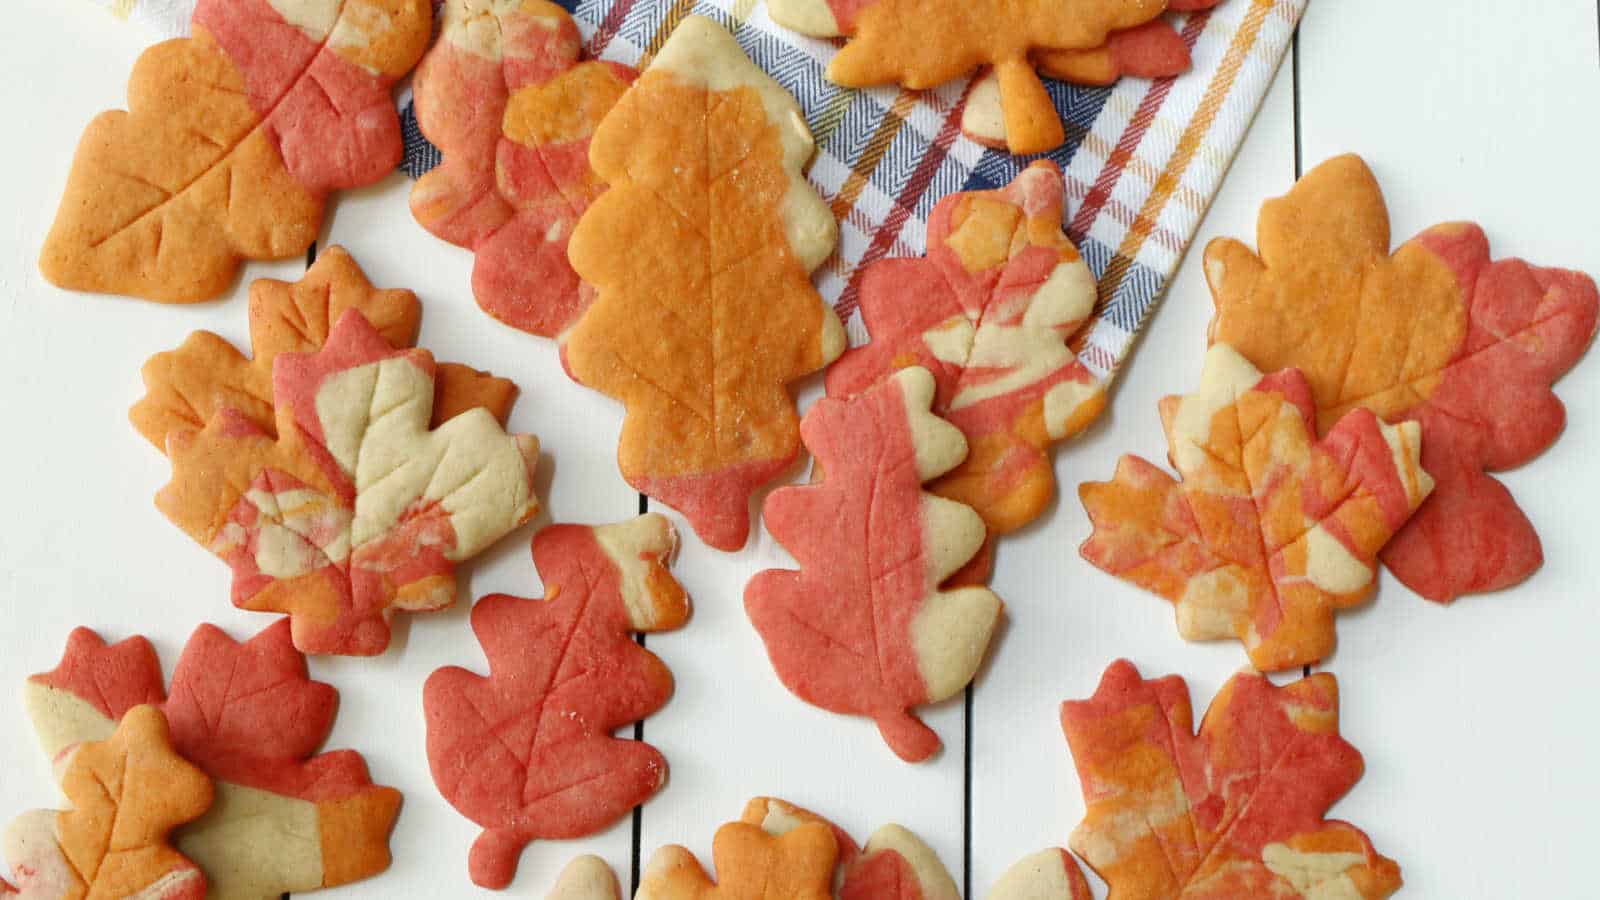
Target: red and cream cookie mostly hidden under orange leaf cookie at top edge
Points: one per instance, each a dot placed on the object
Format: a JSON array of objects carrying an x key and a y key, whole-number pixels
[{"x": 1153, "y": 50}]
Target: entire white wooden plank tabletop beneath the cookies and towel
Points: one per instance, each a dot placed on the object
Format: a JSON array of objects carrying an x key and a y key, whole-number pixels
[{"x": 1478, "y": 721}]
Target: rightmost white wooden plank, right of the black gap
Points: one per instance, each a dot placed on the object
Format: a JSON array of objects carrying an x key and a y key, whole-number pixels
[{"x": 1479, "y": 761}]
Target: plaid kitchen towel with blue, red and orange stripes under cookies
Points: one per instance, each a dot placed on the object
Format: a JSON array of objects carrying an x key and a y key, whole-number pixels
[{"x": 1143, "y": 159}]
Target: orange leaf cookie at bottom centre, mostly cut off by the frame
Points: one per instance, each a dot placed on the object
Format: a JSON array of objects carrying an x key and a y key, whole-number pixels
[{"x": 751, "y": 866}]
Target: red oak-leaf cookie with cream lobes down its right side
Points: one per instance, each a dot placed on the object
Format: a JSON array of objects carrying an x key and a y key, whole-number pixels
[{"x": 863, "y": 627}]
